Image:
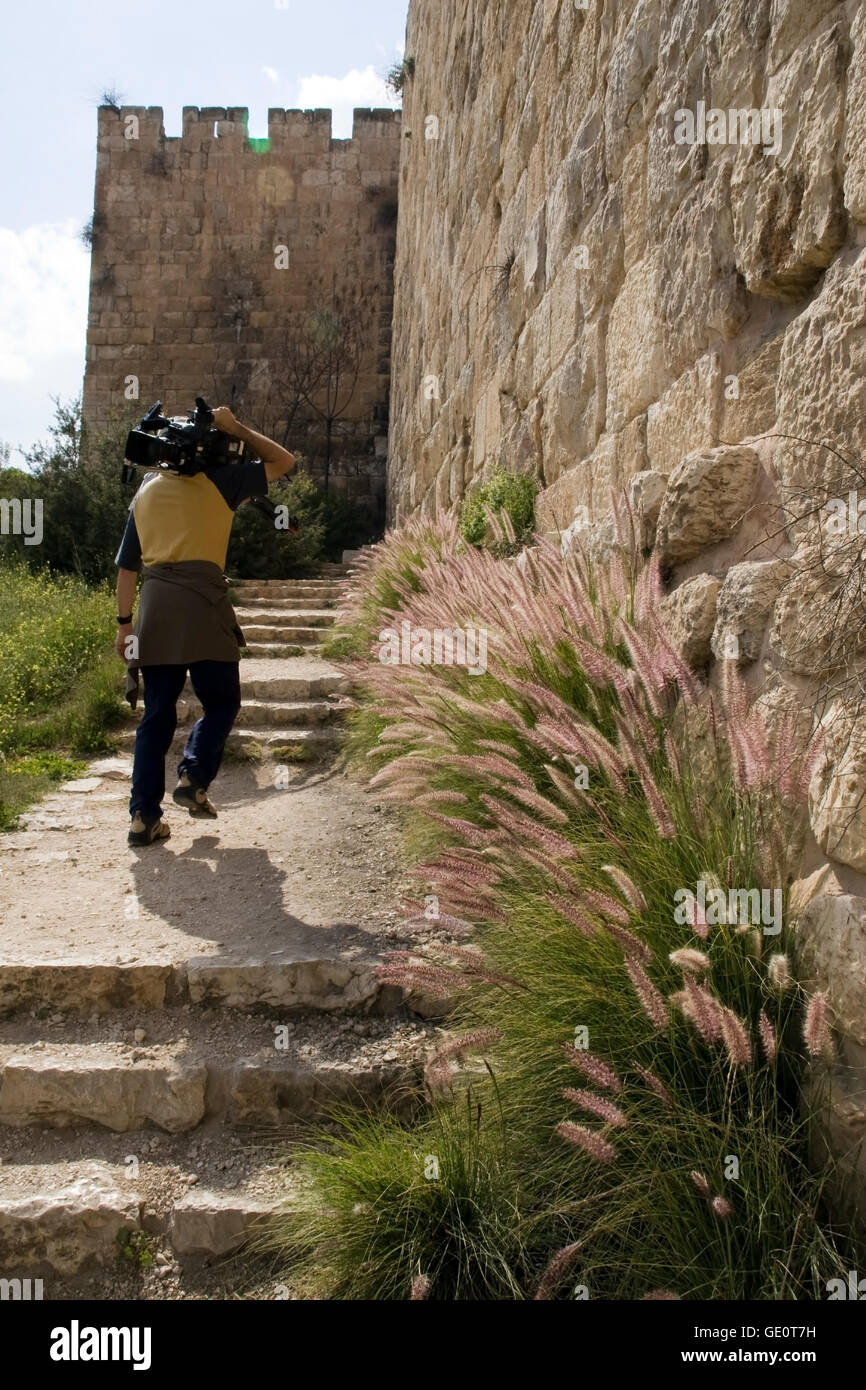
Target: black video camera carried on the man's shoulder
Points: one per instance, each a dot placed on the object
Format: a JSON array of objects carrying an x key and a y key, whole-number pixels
[{"x": 187, "y": 445}]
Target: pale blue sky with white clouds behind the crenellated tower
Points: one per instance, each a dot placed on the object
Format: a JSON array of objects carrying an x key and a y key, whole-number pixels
[{"x": 60, "y": 56}]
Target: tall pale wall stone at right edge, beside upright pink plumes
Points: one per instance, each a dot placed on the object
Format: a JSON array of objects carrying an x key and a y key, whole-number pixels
[{"x": 838, "y": 793}]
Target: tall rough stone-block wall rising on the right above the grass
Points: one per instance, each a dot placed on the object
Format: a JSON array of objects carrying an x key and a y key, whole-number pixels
[{"x": 630, "y": 258}]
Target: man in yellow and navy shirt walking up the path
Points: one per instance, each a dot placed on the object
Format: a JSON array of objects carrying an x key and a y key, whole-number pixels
[{"x": 179, "y": 533}]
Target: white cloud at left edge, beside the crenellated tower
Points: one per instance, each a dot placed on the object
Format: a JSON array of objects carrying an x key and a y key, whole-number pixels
[{"x": 44, "y": 297}]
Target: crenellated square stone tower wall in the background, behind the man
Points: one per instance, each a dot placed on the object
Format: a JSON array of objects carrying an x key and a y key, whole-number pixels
[{"x": 209, "y": 252}]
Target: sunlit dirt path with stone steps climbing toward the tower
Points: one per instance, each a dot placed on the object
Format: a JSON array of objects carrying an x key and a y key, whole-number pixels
[{"x": 173, "y": 1018}]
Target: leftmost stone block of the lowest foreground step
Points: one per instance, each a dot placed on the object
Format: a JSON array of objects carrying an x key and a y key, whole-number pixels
[{"x": 69, "y": 1228}]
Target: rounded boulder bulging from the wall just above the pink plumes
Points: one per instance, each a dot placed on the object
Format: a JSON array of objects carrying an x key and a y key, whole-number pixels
[{"x": 707, "y": 498}]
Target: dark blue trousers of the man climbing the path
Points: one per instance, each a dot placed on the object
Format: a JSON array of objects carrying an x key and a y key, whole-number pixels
[{"x": 218, "y": 686}]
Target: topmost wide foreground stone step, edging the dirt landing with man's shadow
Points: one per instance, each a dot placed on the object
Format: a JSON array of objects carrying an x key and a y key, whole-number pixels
[{"x": 287, "y": 981}]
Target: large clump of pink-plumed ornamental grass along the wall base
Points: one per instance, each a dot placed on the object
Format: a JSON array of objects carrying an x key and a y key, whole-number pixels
[{"x": 598, "y": 836}]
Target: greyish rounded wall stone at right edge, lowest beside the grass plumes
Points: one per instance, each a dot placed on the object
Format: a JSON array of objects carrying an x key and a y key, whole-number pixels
[{"x": 831, "y": 936}]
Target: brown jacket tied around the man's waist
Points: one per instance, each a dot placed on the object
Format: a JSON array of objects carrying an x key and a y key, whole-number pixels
[{"x": 184, "y": 616}]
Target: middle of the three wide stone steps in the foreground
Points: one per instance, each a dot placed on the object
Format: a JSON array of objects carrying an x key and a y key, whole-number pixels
[{"x": 241, "y": 1071}]
